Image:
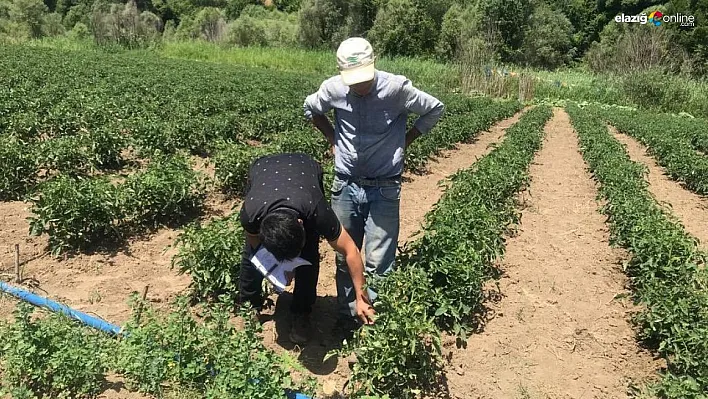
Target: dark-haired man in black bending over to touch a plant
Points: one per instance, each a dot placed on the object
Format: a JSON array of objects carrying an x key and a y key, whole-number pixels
[{"x": 285, "y": 210}]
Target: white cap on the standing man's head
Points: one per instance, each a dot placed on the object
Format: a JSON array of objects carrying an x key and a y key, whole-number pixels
[{"x": 355, "y": 59}]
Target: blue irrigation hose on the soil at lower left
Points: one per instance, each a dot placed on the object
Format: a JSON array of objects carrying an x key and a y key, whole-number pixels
[{"x": 88, "y": 320}]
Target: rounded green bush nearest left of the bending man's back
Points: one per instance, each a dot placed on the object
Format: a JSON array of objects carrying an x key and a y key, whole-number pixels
[{"x": 167, "y": 191}]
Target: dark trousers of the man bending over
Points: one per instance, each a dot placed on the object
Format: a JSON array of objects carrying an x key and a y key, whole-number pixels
[{"x": 306, "y": 277}]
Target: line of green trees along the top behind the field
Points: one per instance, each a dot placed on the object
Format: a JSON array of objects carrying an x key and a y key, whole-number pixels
[{"x": 537, "y": 33}]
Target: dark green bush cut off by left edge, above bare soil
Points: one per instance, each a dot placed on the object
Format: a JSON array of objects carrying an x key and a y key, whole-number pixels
[{"x": 18, "y": 168}]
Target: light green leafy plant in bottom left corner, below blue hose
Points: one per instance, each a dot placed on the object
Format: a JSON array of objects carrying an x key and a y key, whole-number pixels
[{"x": 50, "y": 357}]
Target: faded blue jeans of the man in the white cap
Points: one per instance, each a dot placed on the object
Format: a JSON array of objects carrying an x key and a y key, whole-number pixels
[{"x": 369, "y": 211}]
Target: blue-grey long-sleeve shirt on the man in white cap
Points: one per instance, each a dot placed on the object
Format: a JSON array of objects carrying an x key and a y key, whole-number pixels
[{"x": 370, "y": 131}]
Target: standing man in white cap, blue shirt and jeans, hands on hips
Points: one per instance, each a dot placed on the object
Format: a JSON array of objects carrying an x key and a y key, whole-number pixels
[{"x": 369, "y": 136}]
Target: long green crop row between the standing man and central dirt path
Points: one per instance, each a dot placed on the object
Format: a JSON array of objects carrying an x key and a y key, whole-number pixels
[{"x": 438, "y": 284}]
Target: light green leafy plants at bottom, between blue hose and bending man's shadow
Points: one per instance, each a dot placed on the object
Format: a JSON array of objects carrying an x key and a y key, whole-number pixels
[{"x": 173, "y": 351}]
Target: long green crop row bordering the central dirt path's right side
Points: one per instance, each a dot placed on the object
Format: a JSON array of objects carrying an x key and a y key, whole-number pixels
[{"x": 667, "y": 270}]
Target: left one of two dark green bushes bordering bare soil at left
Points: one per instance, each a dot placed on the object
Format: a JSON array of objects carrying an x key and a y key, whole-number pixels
[{"x": 76, "y": 213}]
